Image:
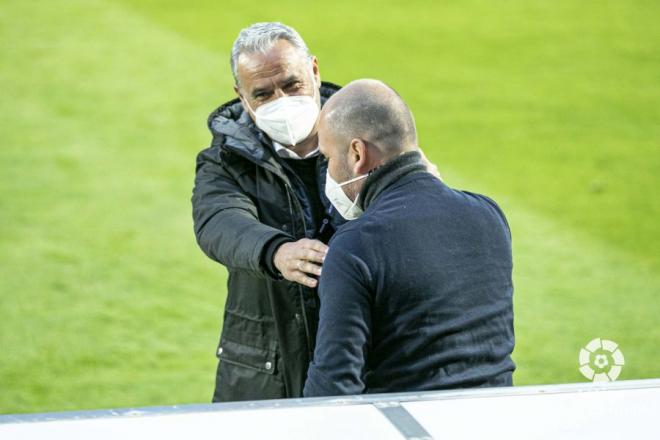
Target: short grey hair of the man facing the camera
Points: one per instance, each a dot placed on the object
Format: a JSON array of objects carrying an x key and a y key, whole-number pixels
[{"x": 260, "y": 37}]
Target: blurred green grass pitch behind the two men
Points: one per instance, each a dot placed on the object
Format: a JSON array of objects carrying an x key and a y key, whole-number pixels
[{"x": 550, "y": 107}]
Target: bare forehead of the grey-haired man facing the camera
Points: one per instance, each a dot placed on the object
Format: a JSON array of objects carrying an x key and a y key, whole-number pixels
[{"x": 281, "y": 59}]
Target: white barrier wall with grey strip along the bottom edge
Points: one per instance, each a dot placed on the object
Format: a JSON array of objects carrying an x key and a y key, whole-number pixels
[{"x": 625, "y": 409}]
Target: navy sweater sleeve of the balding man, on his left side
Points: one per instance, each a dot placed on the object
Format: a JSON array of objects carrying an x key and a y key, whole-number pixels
[{"x": 343, "y": 338}]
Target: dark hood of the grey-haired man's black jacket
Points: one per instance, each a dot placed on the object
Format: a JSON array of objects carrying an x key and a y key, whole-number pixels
[{"x": 231, "y": 126}]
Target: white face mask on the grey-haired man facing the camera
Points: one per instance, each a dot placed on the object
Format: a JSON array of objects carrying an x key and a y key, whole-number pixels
[{"x": 289, "y": 119}]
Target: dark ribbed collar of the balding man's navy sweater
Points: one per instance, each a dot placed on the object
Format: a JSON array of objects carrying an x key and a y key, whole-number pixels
[{"x": 387, "y": 174}]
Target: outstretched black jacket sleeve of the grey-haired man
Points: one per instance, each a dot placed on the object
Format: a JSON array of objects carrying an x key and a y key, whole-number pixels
[{"x": 225, "y": 218}]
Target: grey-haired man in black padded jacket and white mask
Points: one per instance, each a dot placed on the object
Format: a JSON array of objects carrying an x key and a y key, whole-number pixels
[{"x": 259, "y": 209}]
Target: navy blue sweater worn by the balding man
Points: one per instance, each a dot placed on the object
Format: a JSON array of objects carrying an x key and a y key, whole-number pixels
[{"x": 416, "y": 294}]
